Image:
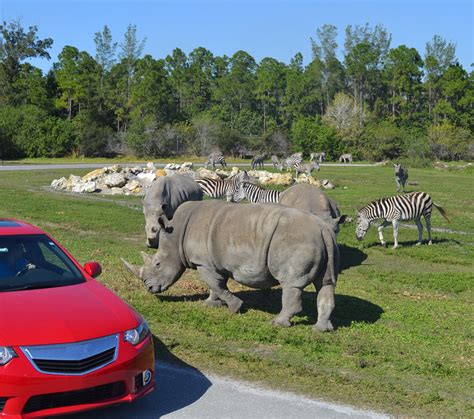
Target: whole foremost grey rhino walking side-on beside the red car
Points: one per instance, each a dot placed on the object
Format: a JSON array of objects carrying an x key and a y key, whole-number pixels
[{"x": 259, "y": 245}]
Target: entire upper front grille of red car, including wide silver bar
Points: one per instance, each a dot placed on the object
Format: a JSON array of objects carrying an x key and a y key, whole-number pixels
[{"x": 76, "y": 358}]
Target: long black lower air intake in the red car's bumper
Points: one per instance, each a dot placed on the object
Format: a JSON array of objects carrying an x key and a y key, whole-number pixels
[{"x": 71, "y": 398}]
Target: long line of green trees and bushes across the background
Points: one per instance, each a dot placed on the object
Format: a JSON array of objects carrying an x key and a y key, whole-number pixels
[{"x": 378, "y": 102}]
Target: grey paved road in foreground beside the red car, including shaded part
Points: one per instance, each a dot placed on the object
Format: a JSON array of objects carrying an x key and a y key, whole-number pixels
[{"x": 187, "y": 393}]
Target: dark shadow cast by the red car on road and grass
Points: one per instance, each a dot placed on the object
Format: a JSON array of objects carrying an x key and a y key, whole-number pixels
[{"x": 178, "y": 385}]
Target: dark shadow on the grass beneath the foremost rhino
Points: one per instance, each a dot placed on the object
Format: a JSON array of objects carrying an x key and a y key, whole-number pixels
[{"x": 348, "y": 309}]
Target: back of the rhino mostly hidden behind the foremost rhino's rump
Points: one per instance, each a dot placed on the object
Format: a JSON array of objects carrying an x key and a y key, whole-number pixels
[{"x": 309, "y": 198}]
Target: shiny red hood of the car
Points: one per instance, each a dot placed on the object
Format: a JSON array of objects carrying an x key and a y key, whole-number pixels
[{"x": 61, "y": 315}]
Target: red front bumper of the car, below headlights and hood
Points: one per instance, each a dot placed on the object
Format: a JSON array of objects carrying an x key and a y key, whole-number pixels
[{"x": 27, "y": 393}]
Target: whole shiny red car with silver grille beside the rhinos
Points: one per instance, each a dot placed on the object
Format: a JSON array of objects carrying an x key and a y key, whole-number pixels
[{"x": 67, "y": 343}]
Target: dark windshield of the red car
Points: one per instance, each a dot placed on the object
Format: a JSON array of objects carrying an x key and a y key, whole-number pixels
[{"x": 34, "y": 261}]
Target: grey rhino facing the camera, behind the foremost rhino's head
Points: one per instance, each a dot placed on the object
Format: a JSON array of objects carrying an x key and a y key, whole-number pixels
[{"x": 165, "y": 195}]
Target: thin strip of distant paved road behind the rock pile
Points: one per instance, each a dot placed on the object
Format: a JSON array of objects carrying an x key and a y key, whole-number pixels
[{"x": 10, "y": 167}]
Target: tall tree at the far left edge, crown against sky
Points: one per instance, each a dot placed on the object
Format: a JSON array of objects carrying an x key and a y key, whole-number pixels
[{"x": 16, "y": 45}]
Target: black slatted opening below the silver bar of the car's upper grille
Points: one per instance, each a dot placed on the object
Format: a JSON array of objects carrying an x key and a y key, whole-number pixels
[{"x": 76, "y": 367}]
